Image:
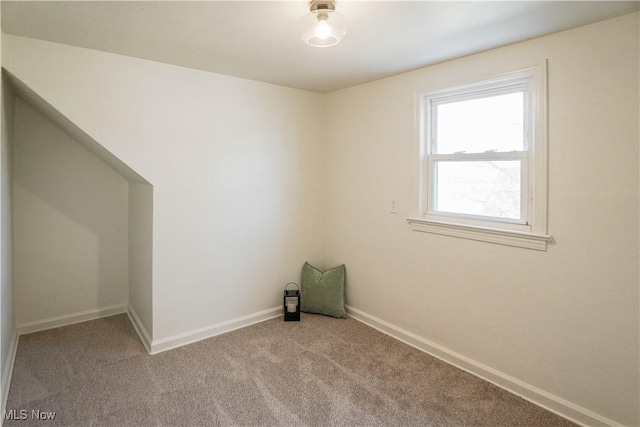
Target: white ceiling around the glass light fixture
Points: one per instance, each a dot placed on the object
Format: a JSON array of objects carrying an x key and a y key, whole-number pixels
[{"x": 259, "y": 40}]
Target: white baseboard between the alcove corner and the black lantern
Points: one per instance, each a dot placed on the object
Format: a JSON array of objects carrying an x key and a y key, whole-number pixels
[{"x": 158, "y": 346}]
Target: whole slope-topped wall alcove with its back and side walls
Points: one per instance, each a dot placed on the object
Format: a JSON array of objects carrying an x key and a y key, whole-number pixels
[{"x": 82, "y": 223}]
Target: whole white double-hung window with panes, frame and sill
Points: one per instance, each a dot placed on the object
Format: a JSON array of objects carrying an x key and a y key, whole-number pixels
[{"x": 483, "y": 163}]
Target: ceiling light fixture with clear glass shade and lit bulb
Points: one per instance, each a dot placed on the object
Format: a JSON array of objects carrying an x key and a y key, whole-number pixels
[{"x": 323, "y": 26}]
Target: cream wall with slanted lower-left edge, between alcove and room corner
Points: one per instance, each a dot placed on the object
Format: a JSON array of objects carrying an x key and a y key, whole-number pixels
[{"x": 236, "y": 168}]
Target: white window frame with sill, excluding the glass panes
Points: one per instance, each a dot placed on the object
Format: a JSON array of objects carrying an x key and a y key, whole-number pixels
[{"x": 531, "y": 230}]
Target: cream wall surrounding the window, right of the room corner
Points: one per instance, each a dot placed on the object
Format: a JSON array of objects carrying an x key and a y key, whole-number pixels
[{"x": 565, "y": 321}]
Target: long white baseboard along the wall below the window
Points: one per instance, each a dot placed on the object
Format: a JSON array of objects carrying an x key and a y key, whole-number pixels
[{"x": 553, "y": 403}]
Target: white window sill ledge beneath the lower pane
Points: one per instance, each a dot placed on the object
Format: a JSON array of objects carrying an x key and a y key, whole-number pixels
[{"x": 485, "y": 234}]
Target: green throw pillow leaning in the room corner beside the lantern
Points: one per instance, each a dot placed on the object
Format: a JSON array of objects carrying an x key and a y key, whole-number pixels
[{"x": 323, "y": 293}]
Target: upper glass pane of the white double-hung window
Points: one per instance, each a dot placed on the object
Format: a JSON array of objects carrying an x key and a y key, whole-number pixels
[{"x": 493, "y": 123}]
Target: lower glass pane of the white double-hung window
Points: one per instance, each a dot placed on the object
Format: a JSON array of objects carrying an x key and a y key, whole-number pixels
[{"x": 487, "y": 188}]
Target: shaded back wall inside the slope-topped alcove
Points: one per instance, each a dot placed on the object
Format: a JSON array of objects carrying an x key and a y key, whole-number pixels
[{"x": 70, "y": 225}]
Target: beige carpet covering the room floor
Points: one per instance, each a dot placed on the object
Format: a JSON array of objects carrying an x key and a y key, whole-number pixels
[{"x": 319, "y": 372}]
